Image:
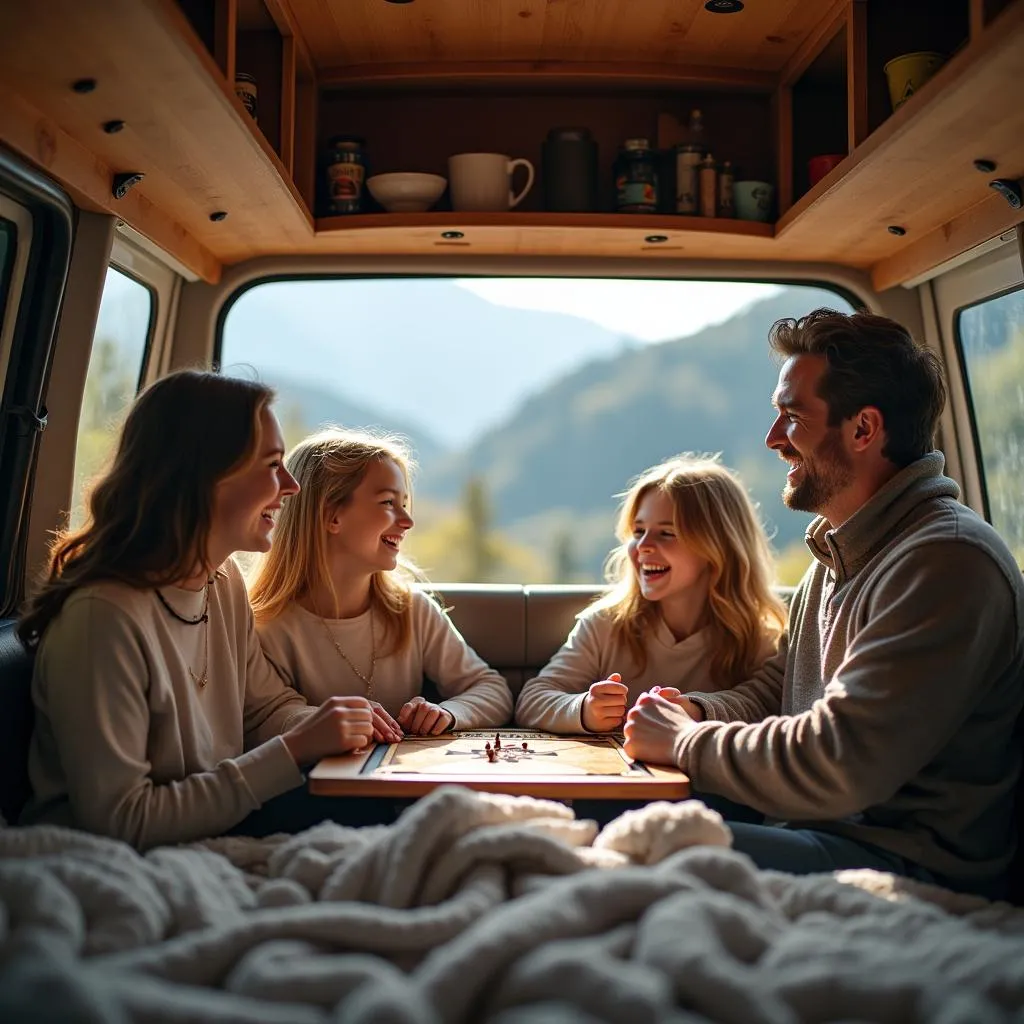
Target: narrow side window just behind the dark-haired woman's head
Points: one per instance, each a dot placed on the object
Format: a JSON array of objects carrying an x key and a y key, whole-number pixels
[{"x": 119, "y": 350}]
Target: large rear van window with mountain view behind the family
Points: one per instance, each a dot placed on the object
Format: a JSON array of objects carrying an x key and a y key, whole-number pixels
[{"x": 530, "y": 403}]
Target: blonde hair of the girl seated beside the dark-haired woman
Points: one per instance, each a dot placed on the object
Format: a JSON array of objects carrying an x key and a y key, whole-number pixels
[{"x": 329, "y": 466}]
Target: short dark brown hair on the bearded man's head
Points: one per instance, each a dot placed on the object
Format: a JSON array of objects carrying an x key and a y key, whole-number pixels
[{"x": 872, "y": 361}]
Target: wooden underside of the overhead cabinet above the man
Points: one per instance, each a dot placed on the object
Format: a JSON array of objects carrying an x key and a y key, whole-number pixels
[{"x": 917, "y": 170}]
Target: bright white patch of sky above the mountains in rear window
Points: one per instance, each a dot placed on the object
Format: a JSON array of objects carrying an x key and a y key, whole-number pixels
[{"x": 632, "y": 308}]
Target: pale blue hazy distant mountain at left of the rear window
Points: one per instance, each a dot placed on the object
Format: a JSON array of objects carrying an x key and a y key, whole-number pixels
[{"x": 334, "y": 335}]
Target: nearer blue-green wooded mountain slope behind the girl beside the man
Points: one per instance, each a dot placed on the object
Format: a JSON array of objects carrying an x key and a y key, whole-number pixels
[{"x": 577, "y": 444}]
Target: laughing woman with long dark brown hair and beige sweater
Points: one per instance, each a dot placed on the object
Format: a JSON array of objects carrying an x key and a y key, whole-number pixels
[{"x": 158, "y": 719}]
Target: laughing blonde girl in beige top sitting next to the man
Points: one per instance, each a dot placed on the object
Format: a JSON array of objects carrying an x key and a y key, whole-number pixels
[{"x": 692, "y": 606}]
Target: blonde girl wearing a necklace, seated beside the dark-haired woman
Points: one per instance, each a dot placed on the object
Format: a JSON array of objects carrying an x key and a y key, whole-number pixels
[{"x": 336, "y": 605}]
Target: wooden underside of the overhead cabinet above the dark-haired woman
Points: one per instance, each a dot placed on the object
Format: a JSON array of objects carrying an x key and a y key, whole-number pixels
[{"x": 185, "y": 130}]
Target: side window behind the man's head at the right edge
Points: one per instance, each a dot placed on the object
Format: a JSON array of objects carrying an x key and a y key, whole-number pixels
[{"x": 992, "y": 342}]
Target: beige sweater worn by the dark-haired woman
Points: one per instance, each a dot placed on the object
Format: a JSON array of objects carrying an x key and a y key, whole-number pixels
[{"x": 127, "y": 745}]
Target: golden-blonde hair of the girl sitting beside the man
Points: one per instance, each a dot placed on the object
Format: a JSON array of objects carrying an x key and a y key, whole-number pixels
[{"x": 716, "y": 520}]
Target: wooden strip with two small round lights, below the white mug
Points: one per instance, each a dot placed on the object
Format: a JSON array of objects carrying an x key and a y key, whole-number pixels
[{"x": 545, "y": 235}]
